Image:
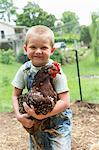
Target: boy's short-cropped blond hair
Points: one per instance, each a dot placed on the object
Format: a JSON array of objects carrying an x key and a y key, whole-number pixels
[{"x": 41, "y": 30}]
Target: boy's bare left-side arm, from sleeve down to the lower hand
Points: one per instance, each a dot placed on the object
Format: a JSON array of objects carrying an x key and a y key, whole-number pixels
[{"x": 22, "y": 118}]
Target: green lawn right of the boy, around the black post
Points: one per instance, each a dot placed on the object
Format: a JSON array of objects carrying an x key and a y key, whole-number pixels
[{"x": 89, "y": 86}]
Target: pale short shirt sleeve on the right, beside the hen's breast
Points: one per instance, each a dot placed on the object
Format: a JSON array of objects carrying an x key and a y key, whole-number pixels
[{"x": 60, "y": 83}]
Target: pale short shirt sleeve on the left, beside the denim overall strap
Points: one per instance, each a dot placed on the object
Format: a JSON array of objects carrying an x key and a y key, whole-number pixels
[{"x": 18, "y": 80}]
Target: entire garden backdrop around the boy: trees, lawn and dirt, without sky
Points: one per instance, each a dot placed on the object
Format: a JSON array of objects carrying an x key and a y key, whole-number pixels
[{"x": 82, "y": 72}]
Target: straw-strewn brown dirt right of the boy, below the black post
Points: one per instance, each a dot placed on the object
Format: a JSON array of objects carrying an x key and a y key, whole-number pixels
[{"x": 85, "y": 125}]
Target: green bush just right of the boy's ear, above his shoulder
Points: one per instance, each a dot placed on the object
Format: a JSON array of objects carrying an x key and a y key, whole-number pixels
[{"x": 58, "y": 56}]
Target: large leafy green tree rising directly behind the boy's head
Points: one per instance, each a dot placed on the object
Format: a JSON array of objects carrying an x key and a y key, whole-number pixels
[{"x": 32, "y": 15}]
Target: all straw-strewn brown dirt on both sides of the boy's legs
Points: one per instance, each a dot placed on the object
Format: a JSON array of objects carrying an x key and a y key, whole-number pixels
[{"x": 85, "y": 130}]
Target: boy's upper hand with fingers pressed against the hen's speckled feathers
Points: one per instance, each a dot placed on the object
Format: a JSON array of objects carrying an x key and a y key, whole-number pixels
[{"x": 31, "y": 112}]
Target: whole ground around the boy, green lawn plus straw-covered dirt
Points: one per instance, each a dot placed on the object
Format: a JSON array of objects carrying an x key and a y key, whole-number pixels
[{"x": 85, "y": 130}]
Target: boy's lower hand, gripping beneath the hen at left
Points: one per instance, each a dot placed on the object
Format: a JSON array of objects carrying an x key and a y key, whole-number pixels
[{"x": 23, "y": 118}]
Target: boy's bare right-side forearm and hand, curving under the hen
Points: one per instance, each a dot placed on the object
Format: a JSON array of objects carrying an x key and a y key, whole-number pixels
[{"x": 60, "y": 106}]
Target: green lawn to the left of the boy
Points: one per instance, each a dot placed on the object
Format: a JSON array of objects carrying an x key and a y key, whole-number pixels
[{"x": 7, "y": 73}]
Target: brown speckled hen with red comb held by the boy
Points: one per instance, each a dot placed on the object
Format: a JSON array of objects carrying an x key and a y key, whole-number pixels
[{"x": 42, "y": 96}]
